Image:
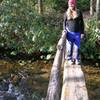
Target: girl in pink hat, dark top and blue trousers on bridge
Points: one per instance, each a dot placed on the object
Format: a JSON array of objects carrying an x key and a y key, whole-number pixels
[{"x": 74, "y": 27}]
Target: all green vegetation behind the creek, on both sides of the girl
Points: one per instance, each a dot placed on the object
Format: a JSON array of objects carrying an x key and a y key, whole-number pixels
[{"x": 23, "y": 30}]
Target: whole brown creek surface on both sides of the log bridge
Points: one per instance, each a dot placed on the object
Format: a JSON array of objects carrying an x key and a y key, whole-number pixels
[{"x": 28, "y": 80}]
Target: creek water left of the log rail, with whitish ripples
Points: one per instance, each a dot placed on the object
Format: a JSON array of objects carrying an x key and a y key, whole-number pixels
[{"x": 24, "y": 80}]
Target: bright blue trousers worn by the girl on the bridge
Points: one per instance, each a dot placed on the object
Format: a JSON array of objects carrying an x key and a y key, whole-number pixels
[{"x": 73, "y": 45}]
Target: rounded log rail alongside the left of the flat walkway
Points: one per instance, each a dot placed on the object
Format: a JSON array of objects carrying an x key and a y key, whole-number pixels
[{"x": 53, "y": 92}]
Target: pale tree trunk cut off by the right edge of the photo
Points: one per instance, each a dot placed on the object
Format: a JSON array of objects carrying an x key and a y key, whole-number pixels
[{"x": 98, "y": 13}]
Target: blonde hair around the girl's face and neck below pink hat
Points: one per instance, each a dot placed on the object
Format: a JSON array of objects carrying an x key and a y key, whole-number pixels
[{"x": 71, "y": 14}]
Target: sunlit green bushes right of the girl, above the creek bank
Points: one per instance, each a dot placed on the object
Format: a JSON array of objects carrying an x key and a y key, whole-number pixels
[{"x": 91, "y": 45}]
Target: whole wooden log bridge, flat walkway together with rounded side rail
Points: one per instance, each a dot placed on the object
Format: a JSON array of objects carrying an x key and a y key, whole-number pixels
[{"x": 73, "y": 85}]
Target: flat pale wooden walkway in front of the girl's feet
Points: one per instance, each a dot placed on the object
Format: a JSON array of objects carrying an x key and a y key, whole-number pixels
[{"x": 74, "y": 87}]
